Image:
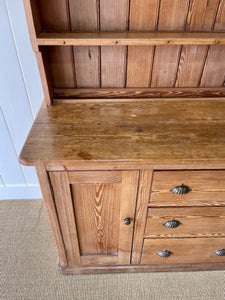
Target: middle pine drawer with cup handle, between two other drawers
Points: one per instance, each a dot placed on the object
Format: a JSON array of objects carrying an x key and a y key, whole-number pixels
[{"x": 187, "y": 222}]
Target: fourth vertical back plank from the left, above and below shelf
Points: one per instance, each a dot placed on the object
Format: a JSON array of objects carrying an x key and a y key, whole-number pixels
[{"x": 143, "y": 16}]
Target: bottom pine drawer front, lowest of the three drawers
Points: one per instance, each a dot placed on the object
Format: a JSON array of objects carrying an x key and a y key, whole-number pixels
[{"x": 183, "y": 251}]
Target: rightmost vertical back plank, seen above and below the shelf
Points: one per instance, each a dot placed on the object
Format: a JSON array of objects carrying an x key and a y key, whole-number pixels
[{"x": 214, "y": 69}]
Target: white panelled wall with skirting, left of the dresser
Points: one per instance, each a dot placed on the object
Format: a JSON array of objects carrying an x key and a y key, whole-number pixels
[{"x": 20, "y": 100}]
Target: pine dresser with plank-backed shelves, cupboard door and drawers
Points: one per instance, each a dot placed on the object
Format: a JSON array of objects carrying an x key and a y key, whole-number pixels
[{"x": 129, "y": 144}]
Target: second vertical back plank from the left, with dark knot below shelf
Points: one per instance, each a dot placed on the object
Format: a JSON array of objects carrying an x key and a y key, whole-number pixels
[{"x": 85, "y": 17}]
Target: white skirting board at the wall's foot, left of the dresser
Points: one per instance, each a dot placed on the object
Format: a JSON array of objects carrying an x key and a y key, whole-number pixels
[{"x": 15, "y": 192}]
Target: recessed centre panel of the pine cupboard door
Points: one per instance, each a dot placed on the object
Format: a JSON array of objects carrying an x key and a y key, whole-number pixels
[{"x": 96, "y": 211}]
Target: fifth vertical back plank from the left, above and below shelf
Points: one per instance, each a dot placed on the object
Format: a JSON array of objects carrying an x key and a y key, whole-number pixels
[{"x": 172, "y": 16}]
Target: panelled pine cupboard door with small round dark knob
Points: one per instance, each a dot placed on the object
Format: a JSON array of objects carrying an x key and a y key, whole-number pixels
[{"x": 92, "y": 209}]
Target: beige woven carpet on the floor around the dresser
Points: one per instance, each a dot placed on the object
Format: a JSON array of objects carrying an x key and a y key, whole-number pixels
[{"x": 29, "y": 267}]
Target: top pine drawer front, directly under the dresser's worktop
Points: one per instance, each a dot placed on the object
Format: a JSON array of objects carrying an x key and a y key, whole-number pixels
[{"x": 207, "y": 188}]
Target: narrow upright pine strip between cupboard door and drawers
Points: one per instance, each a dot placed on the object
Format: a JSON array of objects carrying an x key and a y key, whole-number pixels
[{"x": 141, "y": 214}]
